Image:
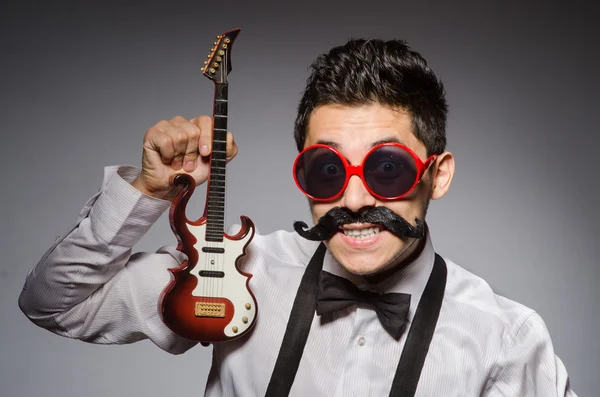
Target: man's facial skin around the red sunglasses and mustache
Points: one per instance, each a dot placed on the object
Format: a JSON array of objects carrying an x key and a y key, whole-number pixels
[{"x": 354, "y": 130}]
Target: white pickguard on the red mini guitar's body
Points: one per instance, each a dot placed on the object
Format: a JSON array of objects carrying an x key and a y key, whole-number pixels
[{"x": 232, "y": 286}]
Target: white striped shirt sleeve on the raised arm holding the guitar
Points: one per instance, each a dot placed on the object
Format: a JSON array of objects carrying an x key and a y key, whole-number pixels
[{"x": 89, "y": 285}]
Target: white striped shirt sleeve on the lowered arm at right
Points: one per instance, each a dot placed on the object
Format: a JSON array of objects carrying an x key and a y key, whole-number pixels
[{"x": 529, "y": 366}]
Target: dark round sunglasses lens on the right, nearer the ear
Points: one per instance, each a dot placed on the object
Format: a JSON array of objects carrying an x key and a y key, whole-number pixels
[{"x": 390, "y": 171}]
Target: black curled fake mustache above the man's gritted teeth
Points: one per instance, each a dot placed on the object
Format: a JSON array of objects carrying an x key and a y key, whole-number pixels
[{"x": 330, "y": 223}]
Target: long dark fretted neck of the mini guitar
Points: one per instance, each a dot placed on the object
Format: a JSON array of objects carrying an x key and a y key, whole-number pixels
[{"x": 215, "y": 198}]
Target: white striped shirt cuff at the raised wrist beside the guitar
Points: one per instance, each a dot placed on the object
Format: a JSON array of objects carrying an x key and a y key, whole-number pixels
[{"x": 122, "y": 214}]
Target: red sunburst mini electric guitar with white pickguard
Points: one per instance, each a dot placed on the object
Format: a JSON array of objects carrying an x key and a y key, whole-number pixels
[{"x": 208, "y": 298}]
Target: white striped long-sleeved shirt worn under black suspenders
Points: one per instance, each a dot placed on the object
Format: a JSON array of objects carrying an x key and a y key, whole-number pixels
[{"x": 89, "y": 286}]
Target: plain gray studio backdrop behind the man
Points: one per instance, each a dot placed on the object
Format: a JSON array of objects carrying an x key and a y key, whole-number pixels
[{"x": 81, "y": 83}]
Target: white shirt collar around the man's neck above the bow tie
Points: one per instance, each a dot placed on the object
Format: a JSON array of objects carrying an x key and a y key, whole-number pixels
[{"x": 411, "y": 279}]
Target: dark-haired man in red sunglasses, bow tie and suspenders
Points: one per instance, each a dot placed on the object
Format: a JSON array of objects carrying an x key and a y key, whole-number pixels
[{"x": 371, "y": 135}]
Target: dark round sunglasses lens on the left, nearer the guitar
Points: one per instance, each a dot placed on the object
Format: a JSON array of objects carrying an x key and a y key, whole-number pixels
[{"x": 320, "y": 173}]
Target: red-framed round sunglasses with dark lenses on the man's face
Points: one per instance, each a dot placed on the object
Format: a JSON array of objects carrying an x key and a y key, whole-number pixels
[{"x": 389, "y": 171}]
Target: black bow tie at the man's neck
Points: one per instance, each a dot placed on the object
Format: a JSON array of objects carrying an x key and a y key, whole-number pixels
[{"x": 336, "y": 293}]
